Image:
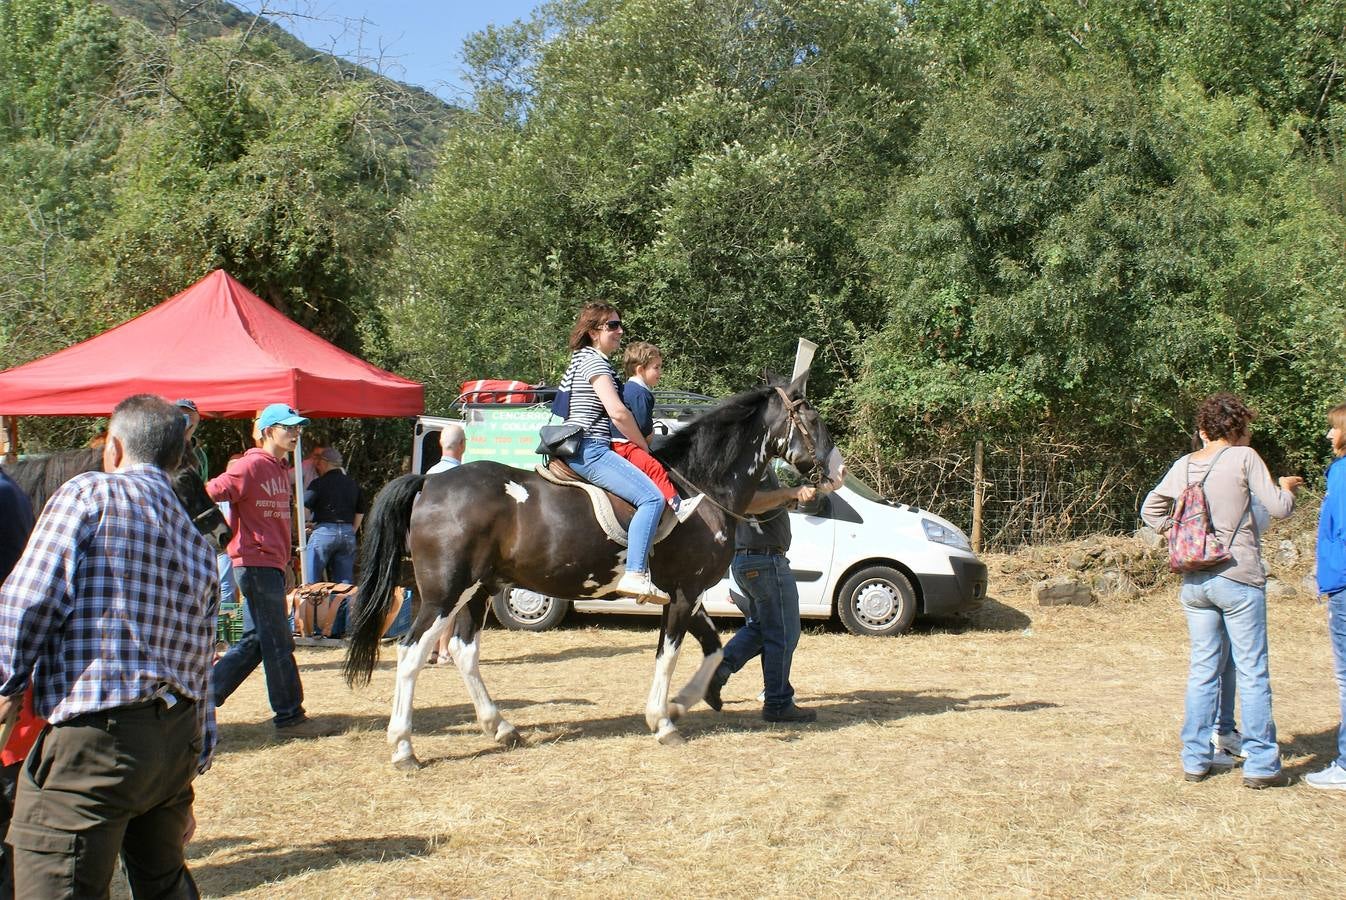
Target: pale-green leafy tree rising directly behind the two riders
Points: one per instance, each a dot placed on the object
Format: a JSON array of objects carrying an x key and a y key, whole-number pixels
[{"x": 702, "y": 165}]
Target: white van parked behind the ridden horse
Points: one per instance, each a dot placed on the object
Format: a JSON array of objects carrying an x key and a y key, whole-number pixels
[{"x": 872, "y": 563}]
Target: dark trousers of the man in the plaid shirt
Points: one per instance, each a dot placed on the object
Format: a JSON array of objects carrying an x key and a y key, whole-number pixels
[{"x": 102, "y": 785}]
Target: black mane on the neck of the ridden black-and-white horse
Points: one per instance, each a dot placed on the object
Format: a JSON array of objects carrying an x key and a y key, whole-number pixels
[{"x": 713, "y": 443}]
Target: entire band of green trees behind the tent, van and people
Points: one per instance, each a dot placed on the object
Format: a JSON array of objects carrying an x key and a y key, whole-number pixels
[{"x": 1025, "y": 220}]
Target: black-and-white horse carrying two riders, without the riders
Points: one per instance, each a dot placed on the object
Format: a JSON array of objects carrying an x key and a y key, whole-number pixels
[{"x": 484, "y": 525}]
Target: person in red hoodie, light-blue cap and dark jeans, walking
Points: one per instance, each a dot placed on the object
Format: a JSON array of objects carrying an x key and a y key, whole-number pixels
[{"x": 259, "y": 488}]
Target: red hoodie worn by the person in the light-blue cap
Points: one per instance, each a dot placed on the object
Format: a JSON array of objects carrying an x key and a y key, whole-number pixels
[{"x": 258, "y": 488}]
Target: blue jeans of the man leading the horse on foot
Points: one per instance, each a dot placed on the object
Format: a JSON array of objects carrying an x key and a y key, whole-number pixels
[{"x": 772, "y": 628}]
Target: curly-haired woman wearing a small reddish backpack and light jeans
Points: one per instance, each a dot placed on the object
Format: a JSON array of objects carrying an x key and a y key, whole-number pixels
[{"x": 1205, "y": 505}]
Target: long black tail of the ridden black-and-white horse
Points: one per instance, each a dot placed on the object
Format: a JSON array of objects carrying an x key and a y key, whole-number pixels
[{"x": 380, "y": 566}]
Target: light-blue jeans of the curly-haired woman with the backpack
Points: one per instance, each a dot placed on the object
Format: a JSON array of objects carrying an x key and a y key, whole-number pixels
[{"x": 1216, "y": 606}]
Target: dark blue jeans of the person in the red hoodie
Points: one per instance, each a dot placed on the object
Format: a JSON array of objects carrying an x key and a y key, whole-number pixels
[{"x": 269, "y": 641}]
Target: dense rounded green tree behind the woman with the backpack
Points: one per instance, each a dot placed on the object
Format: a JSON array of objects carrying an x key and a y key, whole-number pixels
[{"x": 1080, "y": 263}]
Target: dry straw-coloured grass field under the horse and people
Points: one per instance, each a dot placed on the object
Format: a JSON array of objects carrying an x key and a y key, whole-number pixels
[{"x": 1033, "y": 755}]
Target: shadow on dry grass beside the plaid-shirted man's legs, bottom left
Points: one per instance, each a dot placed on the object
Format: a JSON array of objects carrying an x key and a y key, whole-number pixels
[{"x": 266, "y": 864}]
